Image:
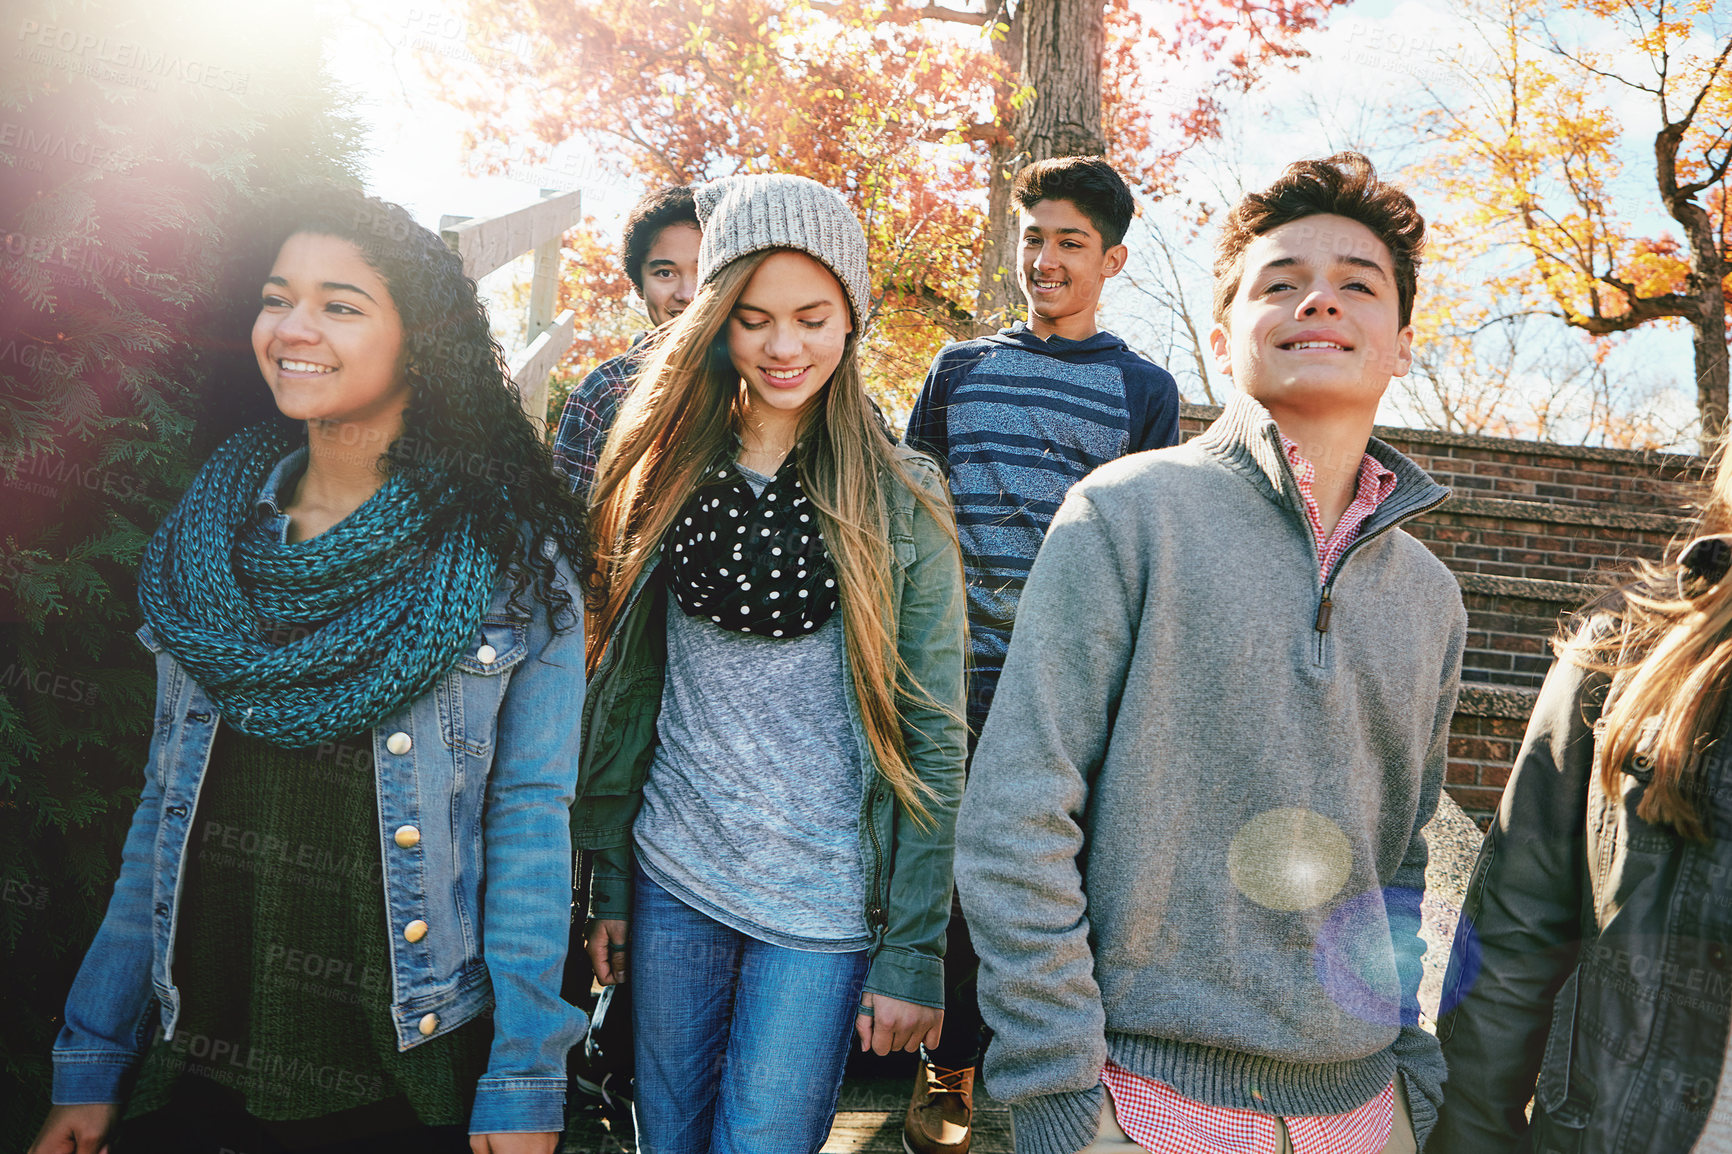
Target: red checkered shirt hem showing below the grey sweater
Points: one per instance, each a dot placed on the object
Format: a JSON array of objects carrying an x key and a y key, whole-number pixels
[{"x": 1160, "y": 1118}]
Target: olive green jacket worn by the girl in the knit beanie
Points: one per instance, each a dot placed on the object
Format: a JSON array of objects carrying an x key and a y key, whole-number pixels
[{"x": 908, "y": 867}]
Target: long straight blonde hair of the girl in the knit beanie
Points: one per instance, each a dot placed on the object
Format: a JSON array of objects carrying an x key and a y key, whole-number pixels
[{"x": 682, "y": 418}]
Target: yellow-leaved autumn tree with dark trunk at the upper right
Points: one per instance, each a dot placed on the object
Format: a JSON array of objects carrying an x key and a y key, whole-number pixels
[{"x": 1537, "y": 153}]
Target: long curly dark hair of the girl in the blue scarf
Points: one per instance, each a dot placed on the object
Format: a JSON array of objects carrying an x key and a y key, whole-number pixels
[{"x": 467, "y": 441}]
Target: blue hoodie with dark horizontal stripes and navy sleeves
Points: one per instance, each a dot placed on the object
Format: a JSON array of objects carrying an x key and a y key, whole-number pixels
[{"x": 1018, "y": 420}]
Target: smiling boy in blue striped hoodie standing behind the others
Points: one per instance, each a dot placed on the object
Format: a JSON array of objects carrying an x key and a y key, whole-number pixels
[{"x": 1018, "y": 418}]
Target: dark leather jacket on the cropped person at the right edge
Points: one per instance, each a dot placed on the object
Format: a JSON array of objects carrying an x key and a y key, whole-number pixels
[{"x": 1591, "y": 966}]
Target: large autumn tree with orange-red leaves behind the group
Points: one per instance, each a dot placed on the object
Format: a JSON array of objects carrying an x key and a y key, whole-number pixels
[{"x": 919, "y": 115}]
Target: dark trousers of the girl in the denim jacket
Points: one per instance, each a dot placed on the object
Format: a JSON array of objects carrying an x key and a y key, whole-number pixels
[{"x": 205, "y": 1118}]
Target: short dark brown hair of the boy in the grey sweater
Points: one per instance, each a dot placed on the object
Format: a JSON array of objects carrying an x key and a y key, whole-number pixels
[{"x": 1338, "y": 186}]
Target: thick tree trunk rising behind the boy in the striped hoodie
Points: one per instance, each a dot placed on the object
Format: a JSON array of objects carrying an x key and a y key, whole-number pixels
[{"x": 1056, "y": 48}]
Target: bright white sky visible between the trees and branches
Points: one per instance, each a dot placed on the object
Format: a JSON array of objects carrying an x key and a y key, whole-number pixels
[{"x": 1367, "y": 75}]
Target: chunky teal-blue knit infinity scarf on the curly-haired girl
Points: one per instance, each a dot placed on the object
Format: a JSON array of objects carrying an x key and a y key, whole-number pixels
[{"x": 377, "y": 609}]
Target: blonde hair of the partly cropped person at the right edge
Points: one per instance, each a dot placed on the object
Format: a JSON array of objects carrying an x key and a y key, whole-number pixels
[{"x": 1667, "y": 640}]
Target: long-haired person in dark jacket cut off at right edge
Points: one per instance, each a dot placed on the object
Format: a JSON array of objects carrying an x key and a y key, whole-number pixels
[{"x": 1593, "y": 966}]
